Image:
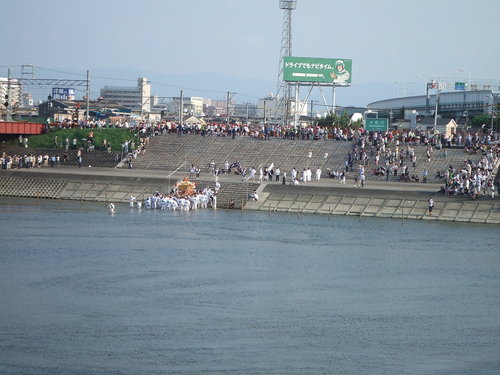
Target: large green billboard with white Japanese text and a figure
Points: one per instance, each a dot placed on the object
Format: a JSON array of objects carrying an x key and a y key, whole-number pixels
[{"x": 317, "y": 70}]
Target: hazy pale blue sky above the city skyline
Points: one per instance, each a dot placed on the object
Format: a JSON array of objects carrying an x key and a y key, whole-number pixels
[{"x": 209, "y": 47}]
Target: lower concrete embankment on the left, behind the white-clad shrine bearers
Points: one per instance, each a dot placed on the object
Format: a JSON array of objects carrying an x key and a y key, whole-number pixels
[{"x": 111, "y": 185}]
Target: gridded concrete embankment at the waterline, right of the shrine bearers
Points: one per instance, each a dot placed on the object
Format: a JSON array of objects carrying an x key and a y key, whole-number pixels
[{"x": 392, "y": 200}]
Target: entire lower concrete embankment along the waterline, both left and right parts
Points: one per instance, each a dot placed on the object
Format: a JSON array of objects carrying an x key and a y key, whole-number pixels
[{"x": 389, "y": 200}]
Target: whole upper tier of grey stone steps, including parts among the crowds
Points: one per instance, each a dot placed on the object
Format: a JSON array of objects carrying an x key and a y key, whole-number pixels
[{"x": 170, "y": 152}]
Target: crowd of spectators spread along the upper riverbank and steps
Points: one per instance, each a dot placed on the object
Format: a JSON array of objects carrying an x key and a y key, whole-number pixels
[{"x": 392, "y": 155}]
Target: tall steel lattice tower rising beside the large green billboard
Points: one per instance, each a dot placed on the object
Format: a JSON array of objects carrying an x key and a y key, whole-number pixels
[{"x": 283, "y": 92}]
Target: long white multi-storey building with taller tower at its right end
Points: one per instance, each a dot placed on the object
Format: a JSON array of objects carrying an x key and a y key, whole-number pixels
[{"x": 136, "y": 98}]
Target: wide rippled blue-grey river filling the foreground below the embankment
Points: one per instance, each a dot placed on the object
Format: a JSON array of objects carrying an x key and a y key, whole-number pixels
[{"x": 226, "y": 292}]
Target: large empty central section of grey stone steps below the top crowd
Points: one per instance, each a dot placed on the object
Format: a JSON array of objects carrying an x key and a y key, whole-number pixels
[{"x": 169, "y": 152}]
